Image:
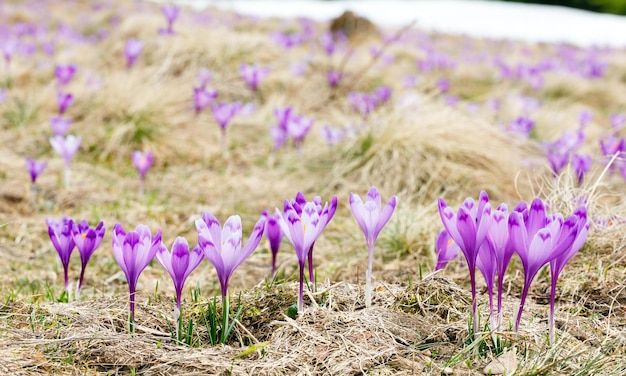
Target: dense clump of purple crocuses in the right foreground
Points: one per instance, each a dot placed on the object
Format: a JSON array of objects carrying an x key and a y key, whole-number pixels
[{"x": 489, "y": 238}]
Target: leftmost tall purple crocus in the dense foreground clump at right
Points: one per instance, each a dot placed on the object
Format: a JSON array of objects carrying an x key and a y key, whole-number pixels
[{"x": 468, "y": 228}]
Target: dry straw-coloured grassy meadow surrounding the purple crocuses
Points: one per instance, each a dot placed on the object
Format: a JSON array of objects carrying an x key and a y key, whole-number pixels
[{"x": 424, "y": 143}]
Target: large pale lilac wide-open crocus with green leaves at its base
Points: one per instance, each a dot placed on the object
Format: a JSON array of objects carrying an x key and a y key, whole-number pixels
[{"x": 222, "y": 247}]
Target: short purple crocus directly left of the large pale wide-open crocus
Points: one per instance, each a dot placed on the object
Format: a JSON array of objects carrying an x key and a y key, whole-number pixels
[{"x": 179, "y": 264}]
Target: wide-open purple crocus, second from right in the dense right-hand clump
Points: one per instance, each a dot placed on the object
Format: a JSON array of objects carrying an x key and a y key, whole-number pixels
[{"x": 538, "y": 238}]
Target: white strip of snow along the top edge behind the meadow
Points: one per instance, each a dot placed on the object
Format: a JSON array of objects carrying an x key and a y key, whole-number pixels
[{"x": 476, "y": 18}]
